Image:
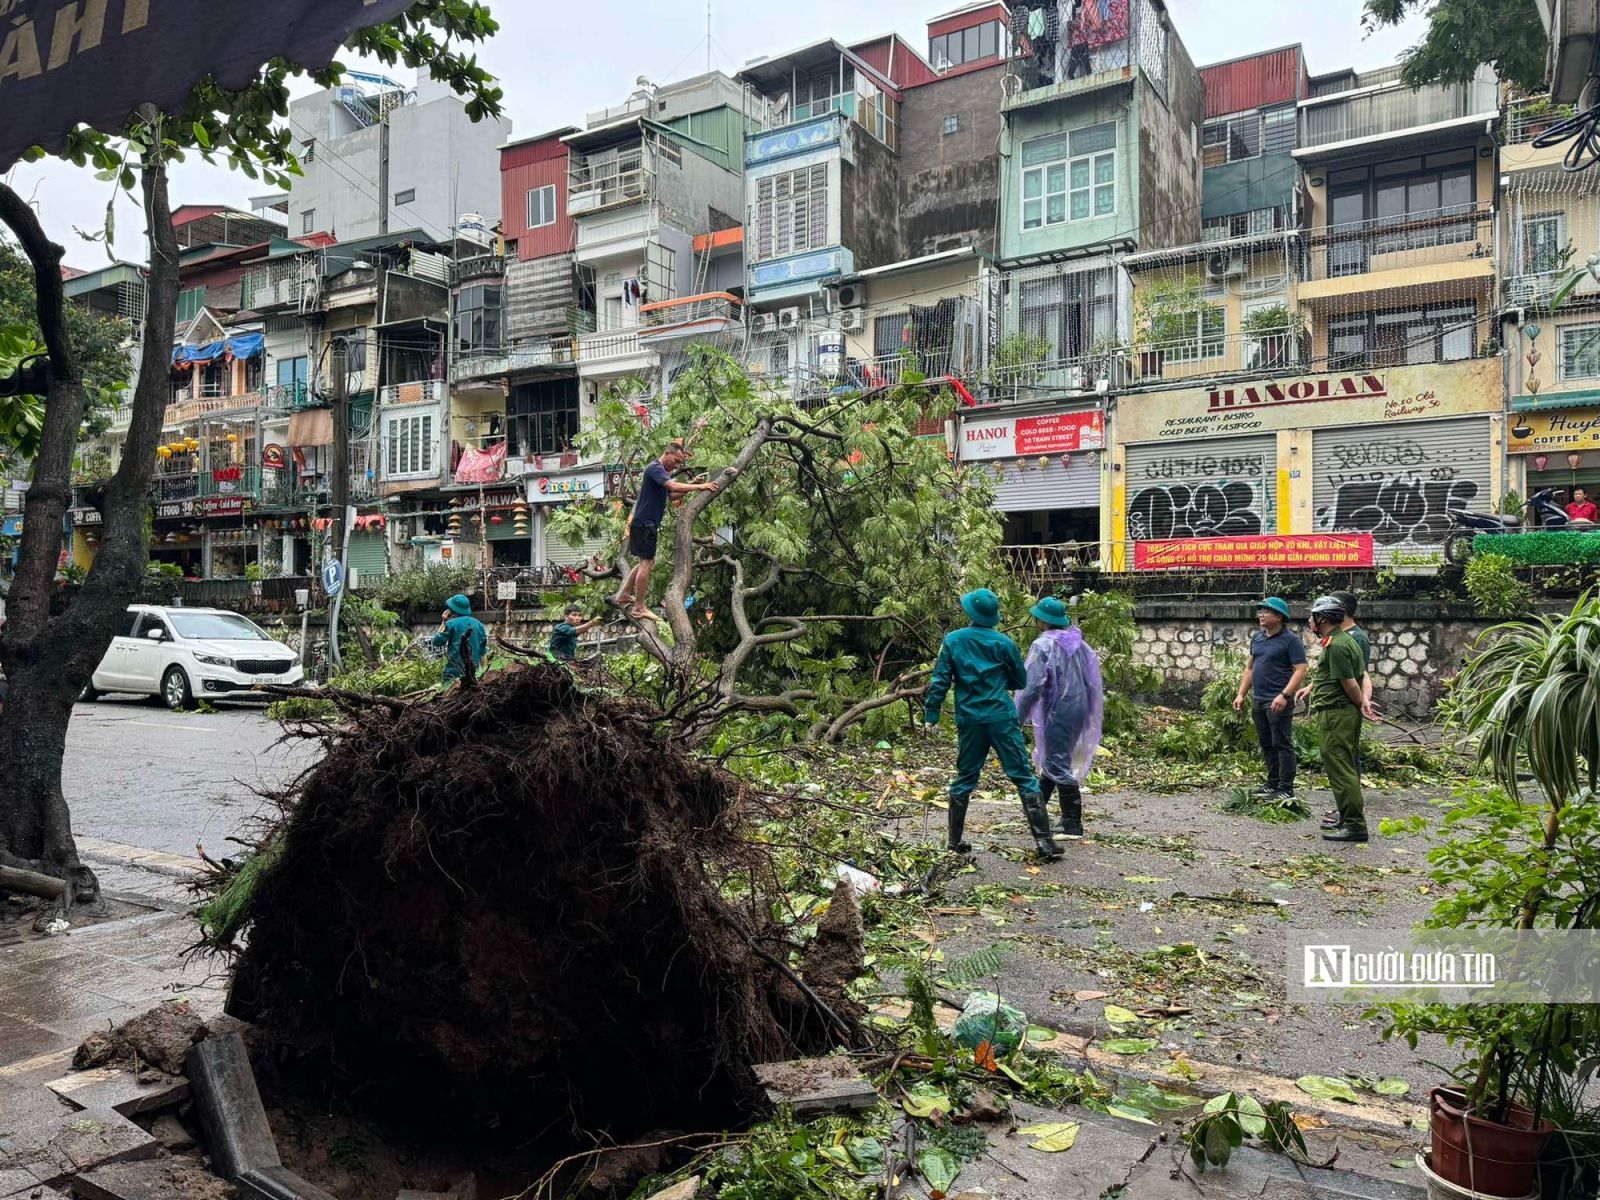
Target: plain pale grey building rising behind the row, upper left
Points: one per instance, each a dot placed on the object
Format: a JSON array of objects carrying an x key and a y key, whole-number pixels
[{"x": 380, "y": 158}]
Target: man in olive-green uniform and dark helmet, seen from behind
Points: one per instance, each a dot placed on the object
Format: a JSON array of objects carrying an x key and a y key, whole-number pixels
[{"x": 1337, "y": 706}]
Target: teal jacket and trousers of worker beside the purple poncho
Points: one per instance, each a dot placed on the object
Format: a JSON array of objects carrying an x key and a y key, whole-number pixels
[{"x": 985, "y": 668}]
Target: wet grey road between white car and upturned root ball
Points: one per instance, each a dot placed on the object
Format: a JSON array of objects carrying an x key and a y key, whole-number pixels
[{"x": 145, "y": 777}]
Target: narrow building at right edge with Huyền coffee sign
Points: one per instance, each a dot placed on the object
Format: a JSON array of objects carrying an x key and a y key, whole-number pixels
[{"x": 1550, "y": 233}]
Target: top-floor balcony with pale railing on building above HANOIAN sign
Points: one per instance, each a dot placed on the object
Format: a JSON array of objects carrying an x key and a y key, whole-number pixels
[{"x": 1382, "y": 106}]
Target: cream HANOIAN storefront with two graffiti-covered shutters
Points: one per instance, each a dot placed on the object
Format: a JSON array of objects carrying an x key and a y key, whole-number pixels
[{"x": 1390, "y": 455}]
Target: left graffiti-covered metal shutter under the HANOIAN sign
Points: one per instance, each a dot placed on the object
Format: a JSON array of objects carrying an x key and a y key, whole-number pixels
[{"x": 1223, "y": 487}]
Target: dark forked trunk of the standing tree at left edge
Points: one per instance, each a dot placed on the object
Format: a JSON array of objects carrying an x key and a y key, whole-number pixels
[{"x": 50, "y": 658}]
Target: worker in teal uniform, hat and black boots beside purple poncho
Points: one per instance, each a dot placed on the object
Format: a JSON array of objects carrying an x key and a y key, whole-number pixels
[{"x": 985, "y": 668}]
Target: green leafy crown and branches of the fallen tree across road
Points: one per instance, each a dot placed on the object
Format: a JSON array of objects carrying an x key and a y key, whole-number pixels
[{"x": 820, "y": 578}]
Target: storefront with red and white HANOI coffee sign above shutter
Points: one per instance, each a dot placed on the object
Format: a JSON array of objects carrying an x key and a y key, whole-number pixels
[{"x": 1047, "y": 468}]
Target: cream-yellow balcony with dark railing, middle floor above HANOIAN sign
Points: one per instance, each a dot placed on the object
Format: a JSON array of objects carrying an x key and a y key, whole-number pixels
[{"x": 1399, "y": 252}]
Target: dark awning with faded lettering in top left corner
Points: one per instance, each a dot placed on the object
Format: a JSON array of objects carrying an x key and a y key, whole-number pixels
[{"x": 95, "y": 62}]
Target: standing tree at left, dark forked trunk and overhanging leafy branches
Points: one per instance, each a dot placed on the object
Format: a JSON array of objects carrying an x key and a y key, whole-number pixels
[{"x": 49, "y": 658}]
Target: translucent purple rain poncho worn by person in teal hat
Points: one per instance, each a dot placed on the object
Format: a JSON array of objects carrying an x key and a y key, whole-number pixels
[{"x": 1066, "y": 705}]
